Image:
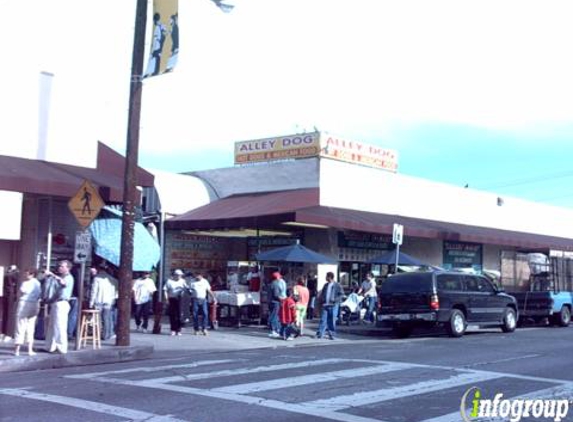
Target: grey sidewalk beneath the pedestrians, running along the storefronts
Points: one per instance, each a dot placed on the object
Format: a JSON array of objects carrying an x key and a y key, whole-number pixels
[{"x": 143, "y": 346}]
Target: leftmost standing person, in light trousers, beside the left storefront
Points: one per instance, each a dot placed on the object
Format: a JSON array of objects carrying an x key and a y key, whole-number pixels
[{"x": 27, "y": 312}]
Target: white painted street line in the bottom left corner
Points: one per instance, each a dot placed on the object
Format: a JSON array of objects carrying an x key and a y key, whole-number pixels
[{"x": 130, "y": 414}]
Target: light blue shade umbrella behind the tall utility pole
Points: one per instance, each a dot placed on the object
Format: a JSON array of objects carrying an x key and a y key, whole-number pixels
[{"x": 106, "y": 232}]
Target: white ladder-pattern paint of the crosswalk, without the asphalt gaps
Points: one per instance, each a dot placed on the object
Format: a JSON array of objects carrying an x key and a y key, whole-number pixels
[{"x": 330, "y": 408}]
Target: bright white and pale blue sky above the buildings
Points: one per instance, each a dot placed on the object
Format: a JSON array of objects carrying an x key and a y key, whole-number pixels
[{"x": 468, "y": 93}]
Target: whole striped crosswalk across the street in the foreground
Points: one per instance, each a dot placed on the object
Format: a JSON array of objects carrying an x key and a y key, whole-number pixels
[{"x": 325, "y": 388}]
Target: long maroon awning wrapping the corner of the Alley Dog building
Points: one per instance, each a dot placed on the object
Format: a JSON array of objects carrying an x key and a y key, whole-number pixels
[{"x": 272, "y": 209}]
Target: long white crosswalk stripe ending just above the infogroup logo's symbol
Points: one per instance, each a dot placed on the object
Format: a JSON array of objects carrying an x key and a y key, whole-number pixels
[{"x": 376, "y": 396}]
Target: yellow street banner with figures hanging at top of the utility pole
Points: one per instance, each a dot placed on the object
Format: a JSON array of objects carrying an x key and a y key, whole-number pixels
[{"x": 164, "y": 45}]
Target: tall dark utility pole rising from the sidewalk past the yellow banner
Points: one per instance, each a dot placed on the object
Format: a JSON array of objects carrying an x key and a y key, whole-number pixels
[{"x": 130, "y": 180}]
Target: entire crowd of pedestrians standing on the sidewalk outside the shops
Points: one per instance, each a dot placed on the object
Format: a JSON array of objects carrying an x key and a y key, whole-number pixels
[{"x": 288, "y": 307}]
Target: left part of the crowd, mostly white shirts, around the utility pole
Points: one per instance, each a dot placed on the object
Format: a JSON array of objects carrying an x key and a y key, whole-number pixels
[{"x": 46, "y": 308}]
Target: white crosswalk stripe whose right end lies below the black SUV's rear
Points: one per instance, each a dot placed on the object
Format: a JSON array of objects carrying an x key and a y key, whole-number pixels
[{"x": 309, "y": 379}]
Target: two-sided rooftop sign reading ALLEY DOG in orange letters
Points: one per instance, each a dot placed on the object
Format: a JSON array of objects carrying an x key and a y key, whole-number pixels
[{"x": 315, "y": 144}]
